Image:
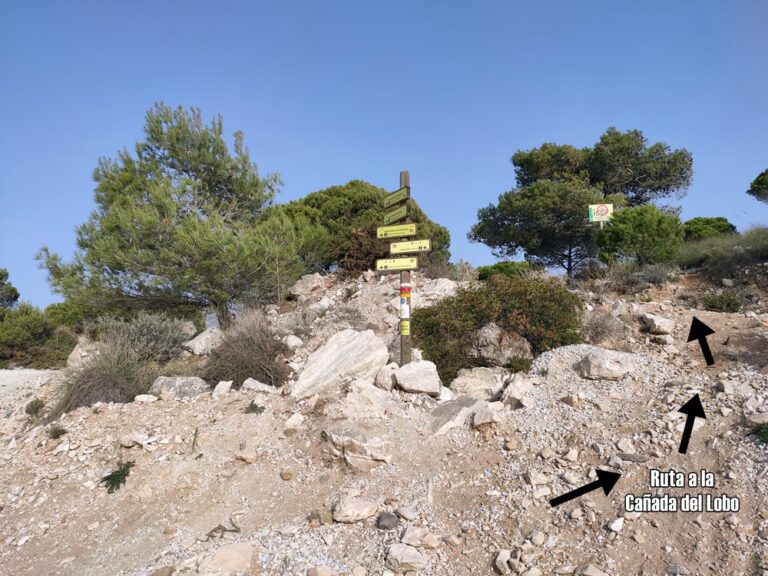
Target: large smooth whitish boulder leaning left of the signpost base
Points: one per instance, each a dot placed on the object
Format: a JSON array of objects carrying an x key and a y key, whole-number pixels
[{"x": 347, "y": 355}]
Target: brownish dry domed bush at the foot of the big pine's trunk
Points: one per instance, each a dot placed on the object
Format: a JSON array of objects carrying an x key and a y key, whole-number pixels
[{"x": 249, "y": 350}]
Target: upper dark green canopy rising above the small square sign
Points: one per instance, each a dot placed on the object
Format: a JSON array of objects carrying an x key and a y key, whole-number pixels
[{"x": 620, "y": 162}]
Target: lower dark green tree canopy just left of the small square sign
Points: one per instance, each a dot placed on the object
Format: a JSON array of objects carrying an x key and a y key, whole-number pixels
[{"x": 546, "y": 219}]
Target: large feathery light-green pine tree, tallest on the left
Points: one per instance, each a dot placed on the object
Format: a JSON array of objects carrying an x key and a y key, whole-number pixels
[{"x": 174, "y": 225}]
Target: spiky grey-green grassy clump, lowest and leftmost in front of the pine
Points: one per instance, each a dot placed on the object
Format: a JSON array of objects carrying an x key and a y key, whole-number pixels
[{"x": 118, "y": 373}]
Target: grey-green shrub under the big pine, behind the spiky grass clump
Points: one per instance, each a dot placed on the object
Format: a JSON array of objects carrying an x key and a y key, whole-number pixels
[{"x": 152, "y": 336}]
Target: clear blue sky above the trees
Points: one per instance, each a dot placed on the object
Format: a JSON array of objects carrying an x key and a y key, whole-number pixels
[{"x": 327, "y": 92}]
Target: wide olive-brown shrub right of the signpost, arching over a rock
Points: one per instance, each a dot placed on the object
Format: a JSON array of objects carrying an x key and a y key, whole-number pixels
[{"x": 541, "y": 310}]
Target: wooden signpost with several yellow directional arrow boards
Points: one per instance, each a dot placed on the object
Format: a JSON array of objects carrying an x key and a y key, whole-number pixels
[{"x": 397, "y": 226}]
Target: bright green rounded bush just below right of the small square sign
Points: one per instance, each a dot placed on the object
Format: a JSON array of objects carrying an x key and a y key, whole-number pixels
[{"x": 645, "y": 233}]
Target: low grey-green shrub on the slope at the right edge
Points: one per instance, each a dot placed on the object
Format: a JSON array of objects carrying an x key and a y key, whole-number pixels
[{"x": 721, "y": 256}]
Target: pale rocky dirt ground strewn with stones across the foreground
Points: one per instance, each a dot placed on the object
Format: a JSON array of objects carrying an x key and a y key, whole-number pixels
[{"x": 359, "y": 467}]
